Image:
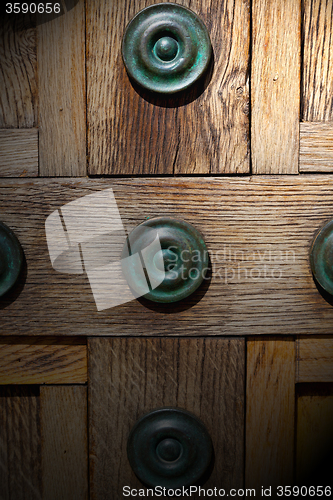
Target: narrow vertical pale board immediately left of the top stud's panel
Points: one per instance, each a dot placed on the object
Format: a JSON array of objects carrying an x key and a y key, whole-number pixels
[{"x": 61, "y": 83}]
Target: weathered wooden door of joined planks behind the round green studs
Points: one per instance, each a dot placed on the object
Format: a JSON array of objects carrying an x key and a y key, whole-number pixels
[{"x": 246, "y": 157}]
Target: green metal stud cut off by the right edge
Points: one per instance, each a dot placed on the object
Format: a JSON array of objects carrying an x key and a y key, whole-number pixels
[{"x": 321, "y": 257}]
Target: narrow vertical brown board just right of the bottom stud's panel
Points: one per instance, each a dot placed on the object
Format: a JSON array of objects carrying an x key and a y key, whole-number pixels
[{"x": 270, "y": 407}]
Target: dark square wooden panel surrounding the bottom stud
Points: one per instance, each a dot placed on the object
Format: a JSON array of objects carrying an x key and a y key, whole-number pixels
[{"x": 130, "y": 377}]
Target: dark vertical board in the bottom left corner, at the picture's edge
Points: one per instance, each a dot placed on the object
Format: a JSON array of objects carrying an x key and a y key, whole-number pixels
[{"x": 20, "y": 444}]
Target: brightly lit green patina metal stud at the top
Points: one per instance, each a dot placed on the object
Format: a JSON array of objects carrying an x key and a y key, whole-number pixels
[{"x": 166, "y": 48}]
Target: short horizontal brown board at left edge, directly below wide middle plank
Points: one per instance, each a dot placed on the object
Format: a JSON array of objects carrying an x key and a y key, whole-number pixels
[{"x": 50, "y": 361}]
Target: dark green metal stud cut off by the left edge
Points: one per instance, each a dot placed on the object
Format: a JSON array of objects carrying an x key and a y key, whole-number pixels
[{"x": 11, "y": 259}]
